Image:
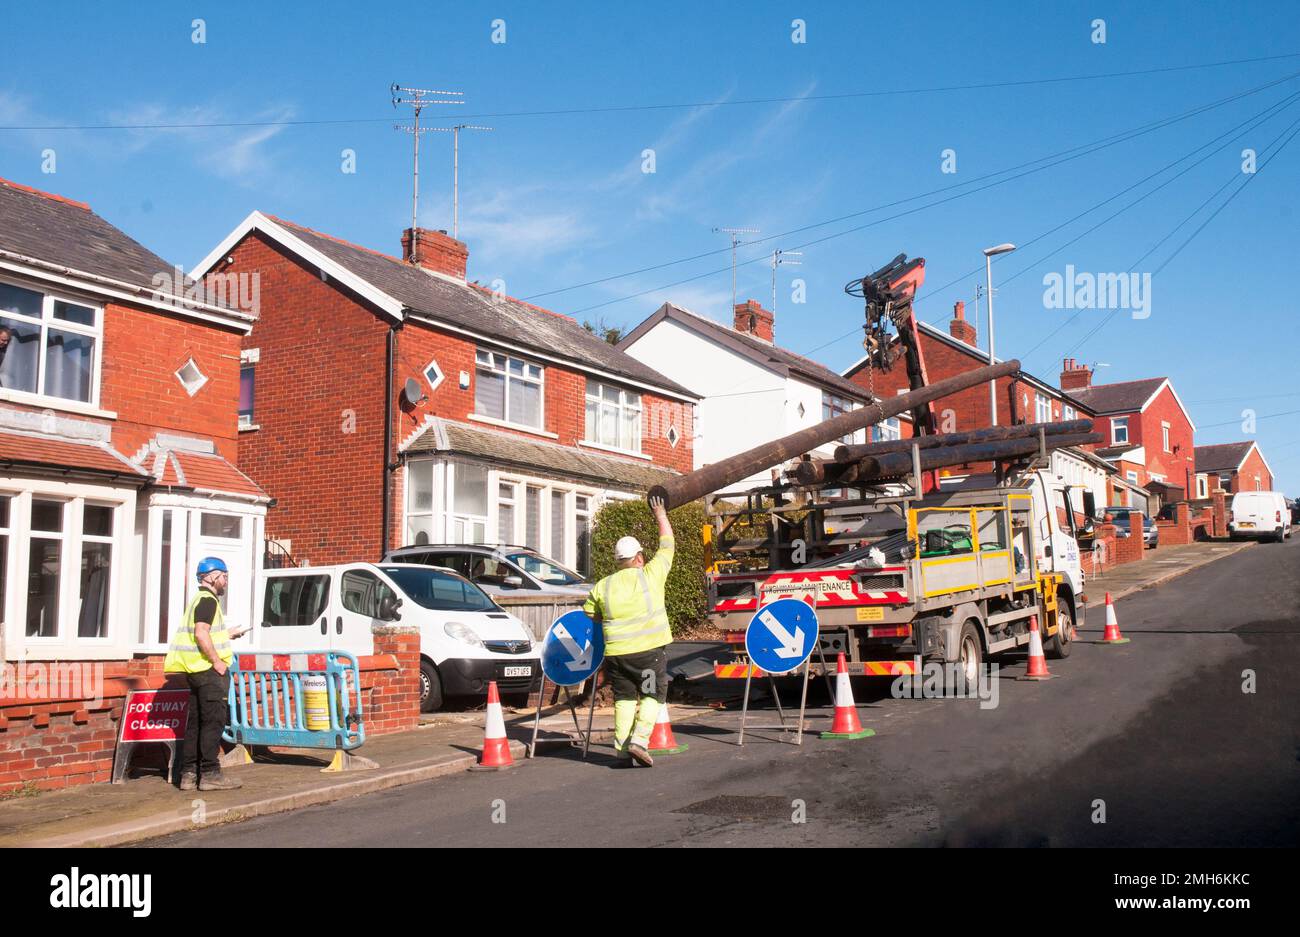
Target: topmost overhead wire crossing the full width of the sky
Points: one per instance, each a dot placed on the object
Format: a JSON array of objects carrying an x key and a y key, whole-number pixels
[{"x": 677, "y": 106}]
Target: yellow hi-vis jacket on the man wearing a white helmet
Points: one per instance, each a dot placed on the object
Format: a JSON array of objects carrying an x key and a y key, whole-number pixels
[{"x": 630, "y": 604}]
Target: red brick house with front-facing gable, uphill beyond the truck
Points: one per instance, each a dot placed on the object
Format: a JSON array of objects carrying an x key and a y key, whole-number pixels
[{"x": 1149, "y": 430}]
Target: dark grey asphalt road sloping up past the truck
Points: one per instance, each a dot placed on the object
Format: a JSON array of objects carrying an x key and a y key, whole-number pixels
[{"x": 1156, "y": 735}]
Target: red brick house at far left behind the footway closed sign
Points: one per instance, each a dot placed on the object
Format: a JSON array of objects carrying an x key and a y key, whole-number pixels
[{"x": 119, "y": 396}]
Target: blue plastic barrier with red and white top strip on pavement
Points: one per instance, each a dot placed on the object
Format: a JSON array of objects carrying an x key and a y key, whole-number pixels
[{"x": 268, "y": 704}]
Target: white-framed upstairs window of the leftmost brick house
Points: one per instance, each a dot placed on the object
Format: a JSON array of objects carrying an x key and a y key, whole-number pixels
[{"x": 49, "y": 346}]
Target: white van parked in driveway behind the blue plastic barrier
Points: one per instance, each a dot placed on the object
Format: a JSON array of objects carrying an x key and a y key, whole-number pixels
[{"x": 466, "y": 640}]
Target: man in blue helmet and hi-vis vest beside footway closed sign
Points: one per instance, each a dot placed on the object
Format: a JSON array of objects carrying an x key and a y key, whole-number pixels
[{"x": 202, "y": 652}]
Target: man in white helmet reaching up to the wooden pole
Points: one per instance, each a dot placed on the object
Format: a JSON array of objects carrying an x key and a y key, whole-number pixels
[{"x": 630, "y": 606}]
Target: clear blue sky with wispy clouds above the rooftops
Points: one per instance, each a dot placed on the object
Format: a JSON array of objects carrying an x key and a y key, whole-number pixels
[{"x": 551, "y": 202}]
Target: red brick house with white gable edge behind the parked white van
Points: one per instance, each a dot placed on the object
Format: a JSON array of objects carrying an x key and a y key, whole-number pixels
[{"x": 393, "y": 402}]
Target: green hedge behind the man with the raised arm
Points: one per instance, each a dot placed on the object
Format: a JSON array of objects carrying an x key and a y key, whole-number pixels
[{"x": 686, "y": 596}]
